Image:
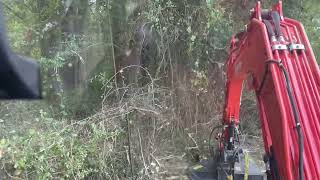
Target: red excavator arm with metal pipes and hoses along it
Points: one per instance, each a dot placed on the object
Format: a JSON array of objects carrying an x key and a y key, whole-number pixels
[{"x": 275, "y": 58}]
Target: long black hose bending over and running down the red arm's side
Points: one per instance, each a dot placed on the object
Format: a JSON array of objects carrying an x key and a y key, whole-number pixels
[{"x": 294, "y": 108}]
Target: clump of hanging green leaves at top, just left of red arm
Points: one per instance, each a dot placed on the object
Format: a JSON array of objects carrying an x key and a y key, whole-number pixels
[{"x": 197, "y": 30}]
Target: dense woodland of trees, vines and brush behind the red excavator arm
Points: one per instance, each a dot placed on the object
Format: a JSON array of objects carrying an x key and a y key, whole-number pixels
[{"x": 131, "y": 88}]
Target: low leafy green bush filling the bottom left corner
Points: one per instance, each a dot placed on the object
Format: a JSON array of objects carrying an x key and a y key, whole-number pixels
[{"x": 58, "y": 150}]
